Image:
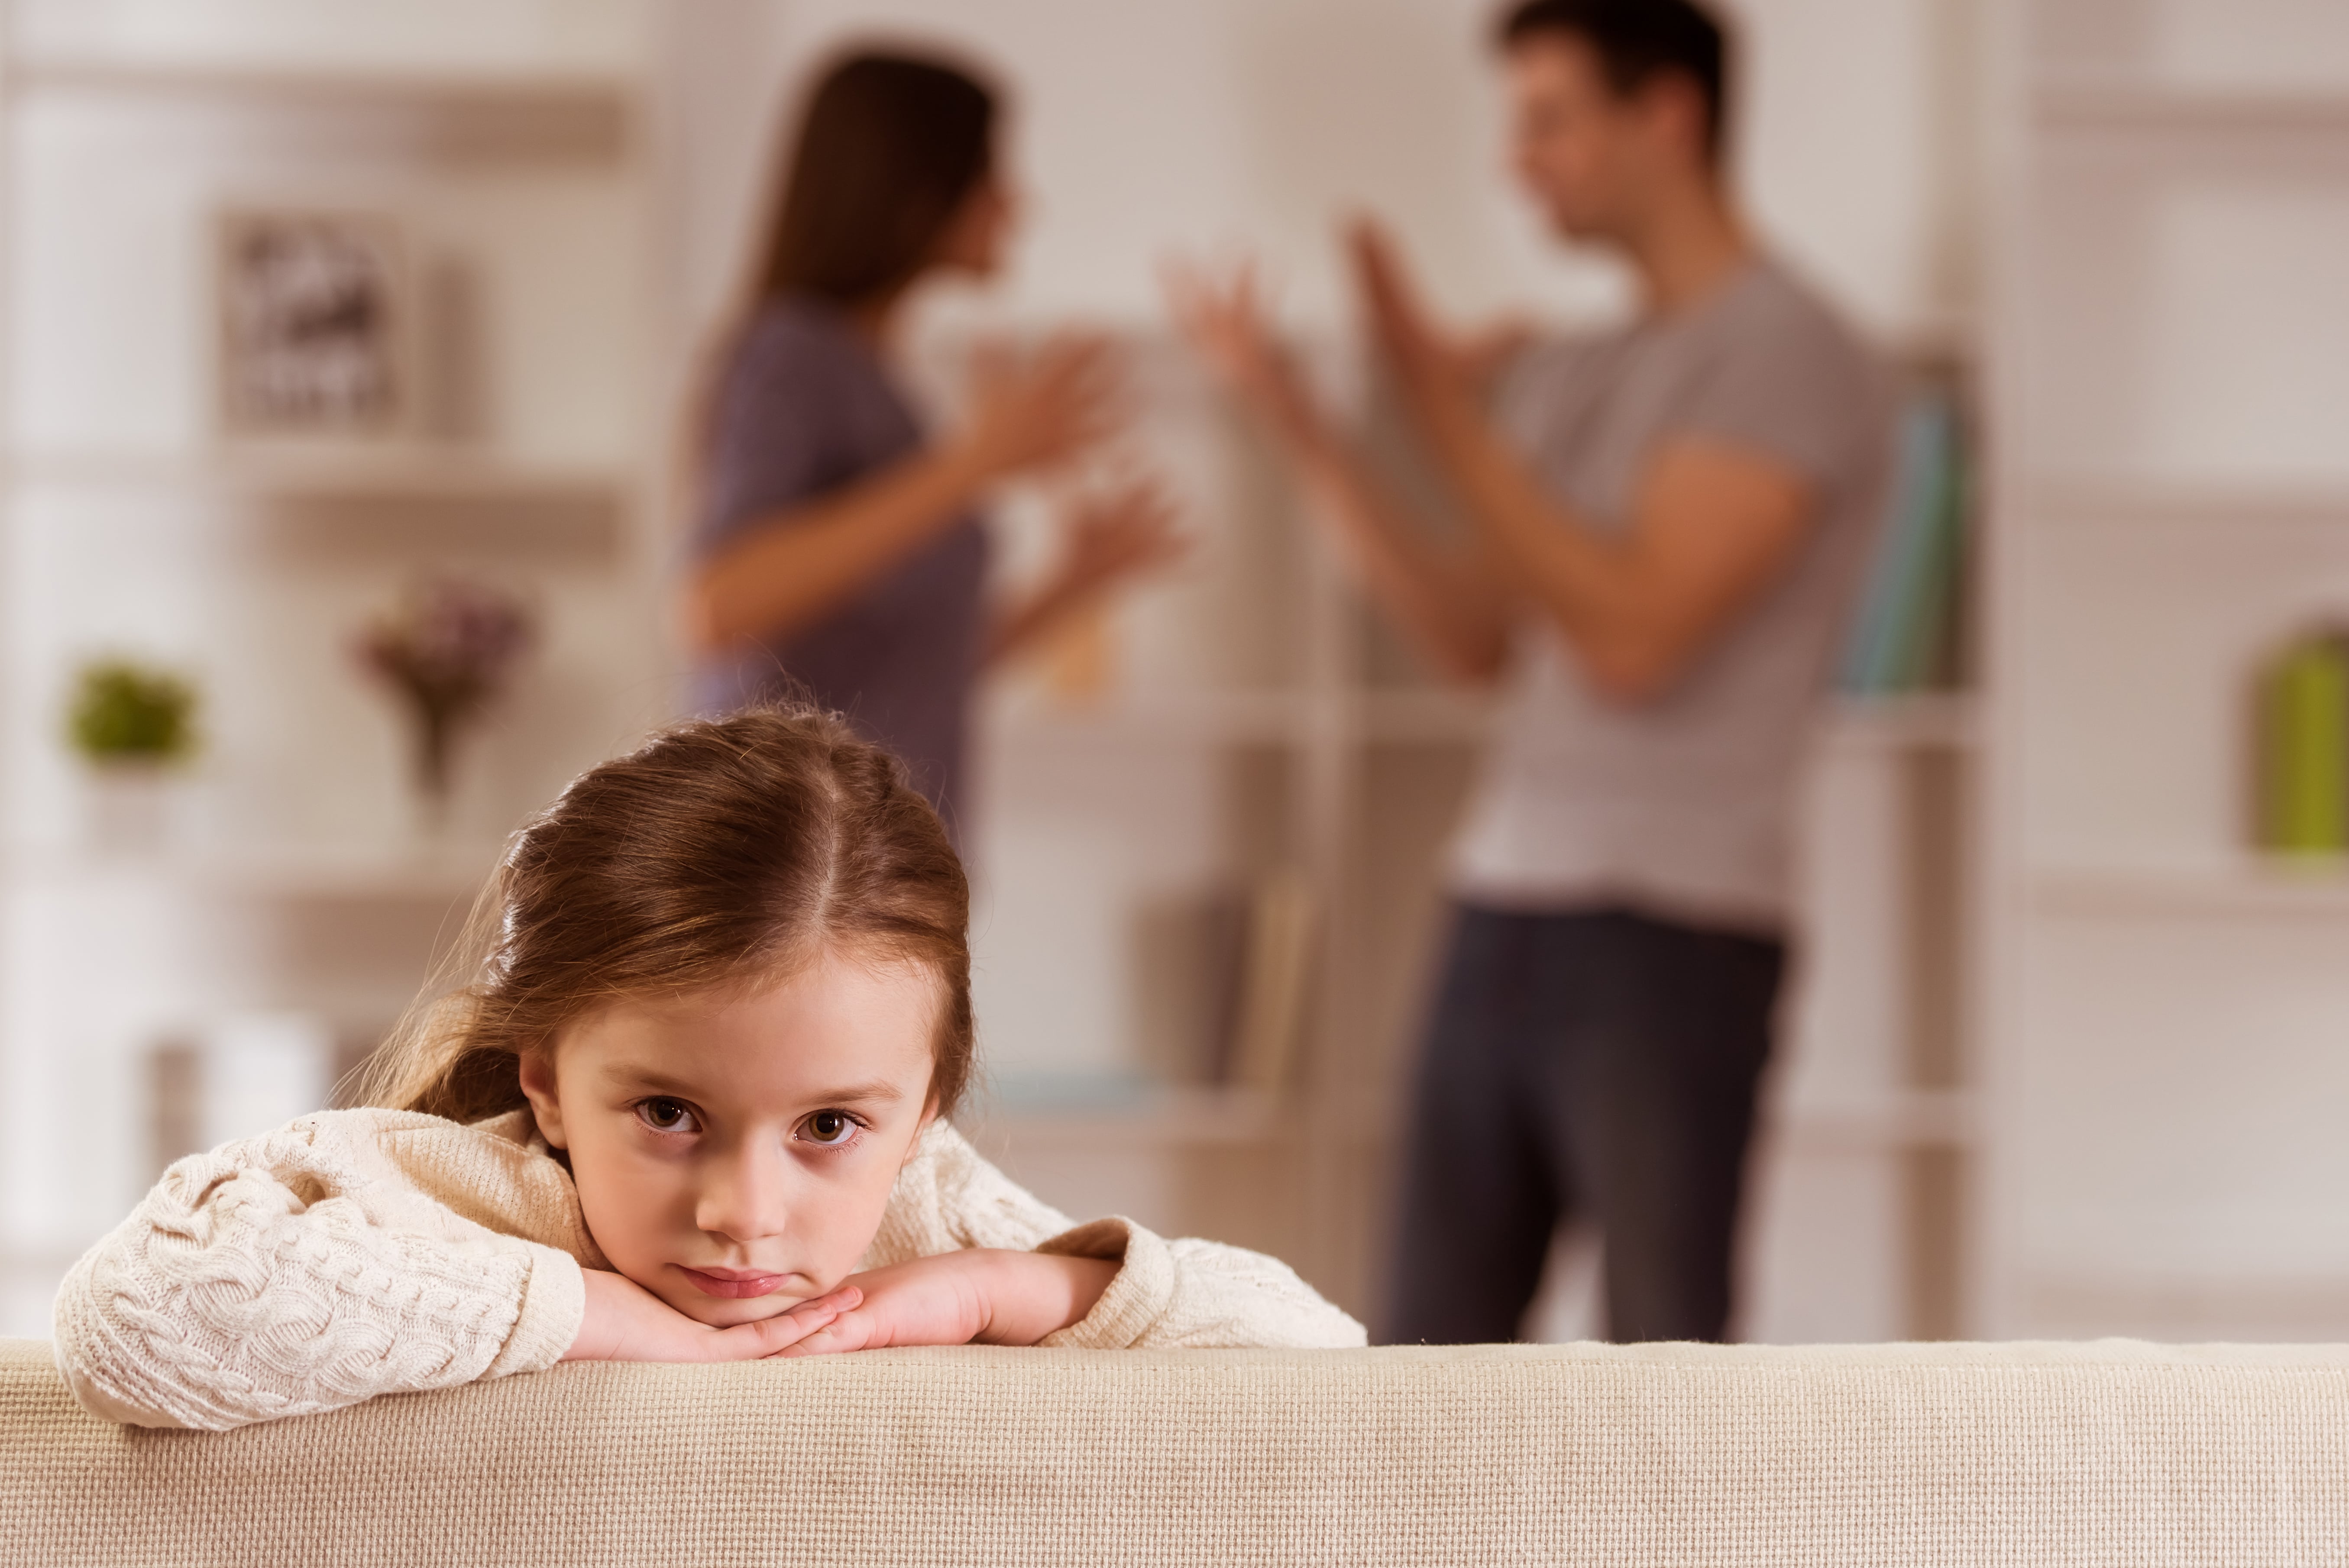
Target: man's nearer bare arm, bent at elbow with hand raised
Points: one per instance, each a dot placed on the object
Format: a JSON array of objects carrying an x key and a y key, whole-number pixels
[{"x": 1711, "y": 525}]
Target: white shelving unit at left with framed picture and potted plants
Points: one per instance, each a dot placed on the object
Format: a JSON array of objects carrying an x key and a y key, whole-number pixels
[{"x": 516, "y": 147}]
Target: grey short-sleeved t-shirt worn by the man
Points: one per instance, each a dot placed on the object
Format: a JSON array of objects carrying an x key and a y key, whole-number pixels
[{"x": 1681, "y": 806}]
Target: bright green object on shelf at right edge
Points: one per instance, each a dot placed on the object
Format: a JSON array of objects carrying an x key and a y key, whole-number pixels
[{"x": 2303, "y": 748}]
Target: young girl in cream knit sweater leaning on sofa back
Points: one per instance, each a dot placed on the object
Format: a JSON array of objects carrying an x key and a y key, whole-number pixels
[{"x": 694, "y": 1104}]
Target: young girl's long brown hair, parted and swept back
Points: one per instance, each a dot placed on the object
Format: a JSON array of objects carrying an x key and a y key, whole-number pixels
[{"x": 720, "y": 853}]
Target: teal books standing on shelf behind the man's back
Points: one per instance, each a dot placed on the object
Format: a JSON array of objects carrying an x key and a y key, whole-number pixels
[{"x": 1906, "y": 635}]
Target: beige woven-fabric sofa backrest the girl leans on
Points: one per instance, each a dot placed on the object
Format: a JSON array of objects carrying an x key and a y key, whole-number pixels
[{"x": 2047, "y": 1457}]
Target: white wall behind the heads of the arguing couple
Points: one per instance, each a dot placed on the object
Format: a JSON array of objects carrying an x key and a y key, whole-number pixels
[{"x": 1256, "y": 123}]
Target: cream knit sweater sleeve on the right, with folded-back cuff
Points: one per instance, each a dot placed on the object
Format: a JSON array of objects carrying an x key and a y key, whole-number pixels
[{"x": 1169, "y": 1295}]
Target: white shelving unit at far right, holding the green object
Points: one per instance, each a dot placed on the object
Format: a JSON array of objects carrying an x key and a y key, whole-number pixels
[{"x": 2172, "y": 499}]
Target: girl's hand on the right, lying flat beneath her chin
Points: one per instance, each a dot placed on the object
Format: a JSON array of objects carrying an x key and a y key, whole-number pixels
[{"x": 962, "y": 1297}]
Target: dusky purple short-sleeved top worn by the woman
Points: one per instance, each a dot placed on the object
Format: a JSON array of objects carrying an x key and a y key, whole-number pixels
[{"x": 805, "y": 410}]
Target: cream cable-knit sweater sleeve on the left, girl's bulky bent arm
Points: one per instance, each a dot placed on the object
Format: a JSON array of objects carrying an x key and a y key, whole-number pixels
[{"x": 297, "y": 1273}]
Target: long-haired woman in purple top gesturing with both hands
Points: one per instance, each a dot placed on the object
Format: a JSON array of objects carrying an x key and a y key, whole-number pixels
[{"x": 840, "y": 550}]
